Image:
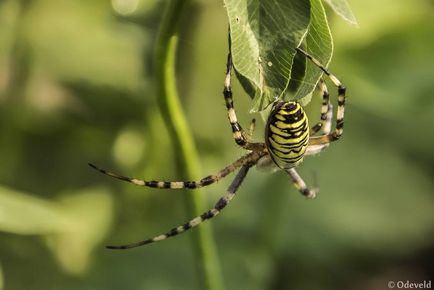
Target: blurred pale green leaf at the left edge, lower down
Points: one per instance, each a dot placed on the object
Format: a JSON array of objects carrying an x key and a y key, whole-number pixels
[{"x": 73, "y": 226}]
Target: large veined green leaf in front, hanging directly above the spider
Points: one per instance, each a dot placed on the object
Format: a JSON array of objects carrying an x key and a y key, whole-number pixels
[{"x": 264, "y": 35}]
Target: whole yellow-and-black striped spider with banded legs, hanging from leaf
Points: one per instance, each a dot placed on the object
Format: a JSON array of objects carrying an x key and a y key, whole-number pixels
[{"x": 287, "y": 140}]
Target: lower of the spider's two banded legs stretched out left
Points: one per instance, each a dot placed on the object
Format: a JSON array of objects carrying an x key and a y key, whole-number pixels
[{"x": 218, "y": 207}]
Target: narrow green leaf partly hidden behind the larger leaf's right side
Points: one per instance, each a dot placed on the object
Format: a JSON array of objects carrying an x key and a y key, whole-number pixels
[{"x": 319, "y": 44}]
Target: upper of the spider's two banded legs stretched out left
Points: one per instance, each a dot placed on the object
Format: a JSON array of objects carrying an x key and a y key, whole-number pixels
[{"x": 210, "y": 179}]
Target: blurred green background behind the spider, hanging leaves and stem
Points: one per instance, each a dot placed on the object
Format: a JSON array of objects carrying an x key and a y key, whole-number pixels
[{"x": 76, "y": 86}]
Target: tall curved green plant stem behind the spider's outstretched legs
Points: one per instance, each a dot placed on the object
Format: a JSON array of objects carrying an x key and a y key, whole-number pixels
[{"x": 208, "y": 267}]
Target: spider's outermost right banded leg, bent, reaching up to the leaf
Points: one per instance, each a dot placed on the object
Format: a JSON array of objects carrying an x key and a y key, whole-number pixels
[{"x": 337, "y": 133}]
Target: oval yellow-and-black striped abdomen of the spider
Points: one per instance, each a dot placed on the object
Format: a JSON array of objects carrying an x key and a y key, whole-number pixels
[{"x": 287, "y": 134}]
